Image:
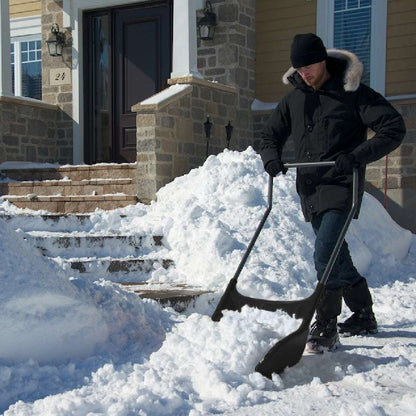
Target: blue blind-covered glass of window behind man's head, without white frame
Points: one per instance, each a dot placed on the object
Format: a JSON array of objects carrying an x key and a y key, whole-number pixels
[{"x": 352, "y": 30}]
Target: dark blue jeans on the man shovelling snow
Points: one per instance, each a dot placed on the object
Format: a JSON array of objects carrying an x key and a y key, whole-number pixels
[{"x": 327, "y": 227}]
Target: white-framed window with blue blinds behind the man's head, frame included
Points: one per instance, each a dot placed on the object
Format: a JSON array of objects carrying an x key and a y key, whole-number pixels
[{"x": 360, "y": 27}]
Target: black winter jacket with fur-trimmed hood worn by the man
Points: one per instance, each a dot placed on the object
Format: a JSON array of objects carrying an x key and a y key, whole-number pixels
[{"x": 327, "y": 122}]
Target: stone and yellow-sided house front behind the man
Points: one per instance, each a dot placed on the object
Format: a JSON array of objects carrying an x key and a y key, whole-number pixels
[{"x": 135, "y": 84}]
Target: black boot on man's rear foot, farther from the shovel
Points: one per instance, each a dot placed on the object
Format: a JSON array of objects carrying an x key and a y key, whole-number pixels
[{"x": 362, "y": 321}]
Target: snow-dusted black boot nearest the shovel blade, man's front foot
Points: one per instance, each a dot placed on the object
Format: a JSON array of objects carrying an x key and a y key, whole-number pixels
[{"x": 324, "y": 334}]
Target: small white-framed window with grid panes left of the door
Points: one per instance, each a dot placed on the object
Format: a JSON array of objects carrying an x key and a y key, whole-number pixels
[{"x": 26, "y": 59}]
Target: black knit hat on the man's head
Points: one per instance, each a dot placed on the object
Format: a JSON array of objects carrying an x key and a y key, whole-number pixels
[{"x": 307, "y": 49}]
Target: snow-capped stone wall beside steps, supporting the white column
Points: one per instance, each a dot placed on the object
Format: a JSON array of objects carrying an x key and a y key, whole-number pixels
[{"x": 171, "y": 138}]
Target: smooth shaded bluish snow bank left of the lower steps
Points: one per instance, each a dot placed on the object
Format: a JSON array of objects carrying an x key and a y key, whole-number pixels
[{"x": 50, "y": 318}]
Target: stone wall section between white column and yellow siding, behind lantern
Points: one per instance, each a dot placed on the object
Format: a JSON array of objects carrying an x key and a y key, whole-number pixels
[{"x": 230, "y": 60}]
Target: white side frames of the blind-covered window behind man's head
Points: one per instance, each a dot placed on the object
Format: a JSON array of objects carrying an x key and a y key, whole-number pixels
[{"x": 324, "y": 29}]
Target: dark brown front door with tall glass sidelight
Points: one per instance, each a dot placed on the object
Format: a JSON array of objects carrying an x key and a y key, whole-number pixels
[{"x": 127, "y": 59}]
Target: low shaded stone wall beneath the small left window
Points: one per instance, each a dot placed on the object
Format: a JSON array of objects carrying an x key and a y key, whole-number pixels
[{"x": 28, "y": 130}]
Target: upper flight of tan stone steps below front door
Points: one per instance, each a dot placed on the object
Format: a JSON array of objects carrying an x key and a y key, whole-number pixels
[{"x": 72, "y": 189}]
